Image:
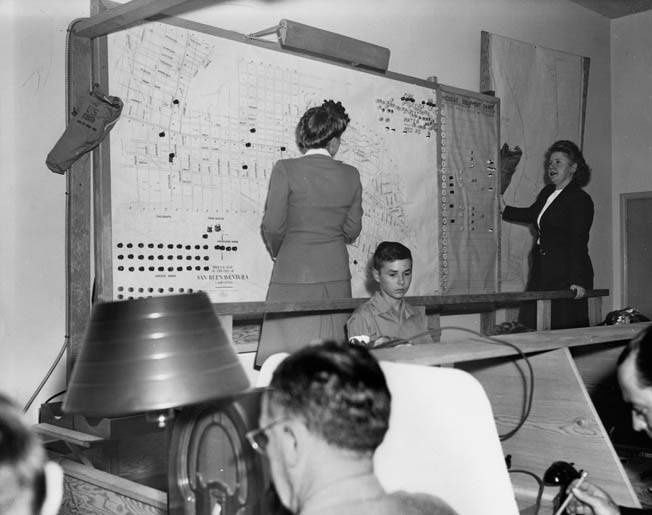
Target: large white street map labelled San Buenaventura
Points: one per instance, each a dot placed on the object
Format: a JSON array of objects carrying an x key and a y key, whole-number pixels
[{"x": 204, "y": 121}]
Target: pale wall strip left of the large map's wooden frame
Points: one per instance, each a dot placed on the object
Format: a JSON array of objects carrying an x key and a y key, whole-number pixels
[{"x": 32, "y": 199}]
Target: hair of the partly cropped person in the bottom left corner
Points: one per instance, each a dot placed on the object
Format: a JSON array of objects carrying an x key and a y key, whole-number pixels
[{"x": 22, "y": 461}]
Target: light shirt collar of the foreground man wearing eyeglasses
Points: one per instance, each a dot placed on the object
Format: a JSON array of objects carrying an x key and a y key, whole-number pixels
[{"x": 344, "y": 491}]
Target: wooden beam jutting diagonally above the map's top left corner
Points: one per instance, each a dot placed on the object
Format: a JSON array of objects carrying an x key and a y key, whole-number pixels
[{"x": 123, "y": 16}]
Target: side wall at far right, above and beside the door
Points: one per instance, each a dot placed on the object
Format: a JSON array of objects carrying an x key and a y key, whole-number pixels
[{"x": 631, "y": 81}]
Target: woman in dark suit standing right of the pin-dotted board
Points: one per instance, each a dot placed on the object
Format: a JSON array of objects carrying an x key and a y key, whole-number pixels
[{"x": 562, "y": 215}]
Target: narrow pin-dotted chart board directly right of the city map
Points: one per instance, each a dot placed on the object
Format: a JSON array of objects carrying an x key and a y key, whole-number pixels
[{"x": 469, "y": 170}]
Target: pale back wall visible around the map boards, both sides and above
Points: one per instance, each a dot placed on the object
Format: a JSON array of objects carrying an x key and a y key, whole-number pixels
[{"x": 426, "y": 38}]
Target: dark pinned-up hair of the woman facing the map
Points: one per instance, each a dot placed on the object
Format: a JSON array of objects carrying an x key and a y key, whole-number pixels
[{"x": 320, "y": 124}]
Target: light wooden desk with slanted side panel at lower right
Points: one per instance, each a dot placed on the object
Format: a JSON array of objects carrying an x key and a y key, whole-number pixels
[{"x": 563, "y": 423}]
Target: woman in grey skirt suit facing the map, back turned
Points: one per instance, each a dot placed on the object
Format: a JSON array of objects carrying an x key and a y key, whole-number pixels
[{"x": 313, "y": 209}]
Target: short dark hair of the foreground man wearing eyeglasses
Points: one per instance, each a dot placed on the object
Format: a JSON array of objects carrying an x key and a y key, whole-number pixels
[{"x": 338, "y": 390}]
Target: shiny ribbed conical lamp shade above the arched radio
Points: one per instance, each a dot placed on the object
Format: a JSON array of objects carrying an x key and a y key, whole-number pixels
[{"x": 153, "y": 354}]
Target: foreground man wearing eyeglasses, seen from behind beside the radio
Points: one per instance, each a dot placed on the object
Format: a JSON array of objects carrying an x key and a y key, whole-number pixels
[{"x": 326, "y": 412}]
